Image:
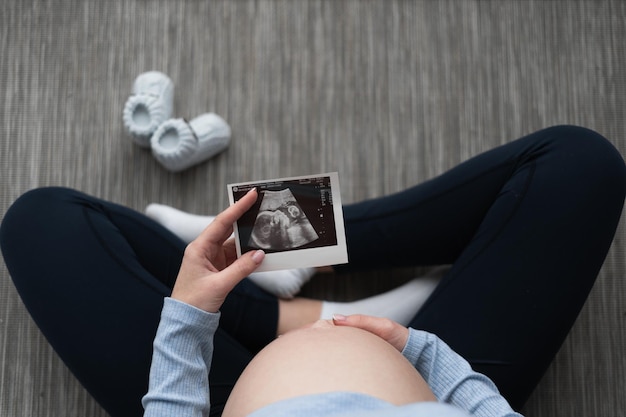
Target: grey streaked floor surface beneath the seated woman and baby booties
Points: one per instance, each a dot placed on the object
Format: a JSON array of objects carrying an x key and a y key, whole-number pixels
[{"x": 388, "y": 93}]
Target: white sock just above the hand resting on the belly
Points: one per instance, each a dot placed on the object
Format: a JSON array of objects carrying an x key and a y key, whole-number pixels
[{"x": 400, "y": 304}]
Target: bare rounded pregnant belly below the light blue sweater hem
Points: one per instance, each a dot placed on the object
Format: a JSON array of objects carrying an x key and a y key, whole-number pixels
[{"x": 322, "y": 359}]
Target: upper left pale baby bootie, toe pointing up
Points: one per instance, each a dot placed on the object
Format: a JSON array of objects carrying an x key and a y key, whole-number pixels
[{"x": 149, "y": 105}]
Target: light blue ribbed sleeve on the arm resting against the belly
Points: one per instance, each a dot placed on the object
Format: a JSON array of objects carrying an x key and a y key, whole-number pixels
[{"x": 451, "y": 377}]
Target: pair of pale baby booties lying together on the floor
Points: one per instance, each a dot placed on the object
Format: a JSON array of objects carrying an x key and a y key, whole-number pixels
[{"x": 176, "y": 143}]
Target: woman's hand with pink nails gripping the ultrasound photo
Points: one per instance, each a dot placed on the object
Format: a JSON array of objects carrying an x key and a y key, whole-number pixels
[{"x": 210, "y": 268}]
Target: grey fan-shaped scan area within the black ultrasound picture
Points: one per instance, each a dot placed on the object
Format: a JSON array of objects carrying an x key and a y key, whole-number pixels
[{"x": 281, "y": 224}]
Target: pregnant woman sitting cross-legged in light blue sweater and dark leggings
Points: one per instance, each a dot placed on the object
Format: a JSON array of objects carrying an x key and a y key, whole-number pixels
[{"x": 525, "y": 227}]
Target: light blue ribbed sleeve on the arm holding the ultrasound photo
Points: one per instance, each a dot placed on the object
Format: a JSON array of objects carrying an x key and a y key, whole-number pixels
[{"x": 179, "y": 374}]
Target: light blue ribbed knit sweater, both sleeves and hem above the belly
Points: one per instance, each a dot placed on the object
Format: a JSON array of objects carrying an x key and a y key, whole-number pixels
[{"x": 183, "y": 349}]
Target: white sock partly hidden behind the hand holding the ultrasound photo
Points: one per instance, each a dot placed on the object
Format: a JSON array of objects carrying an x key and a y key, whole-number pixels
[{"x": 187, "y": 226}]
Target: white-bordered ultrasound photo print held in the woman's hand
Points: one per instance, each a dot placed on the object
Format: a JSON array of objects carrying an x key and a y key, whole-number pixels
[{"x": 300, "y": 216}]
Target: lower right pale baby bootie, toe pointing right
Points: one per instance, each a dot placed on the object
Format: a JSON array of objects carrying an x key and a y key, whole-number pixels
[{"x": 178, "y": 144}]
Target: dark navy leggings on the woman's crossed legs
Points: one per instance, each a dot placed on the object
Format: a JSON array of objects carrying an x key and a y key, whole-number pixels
[{"x": 526, "y": 226}]
